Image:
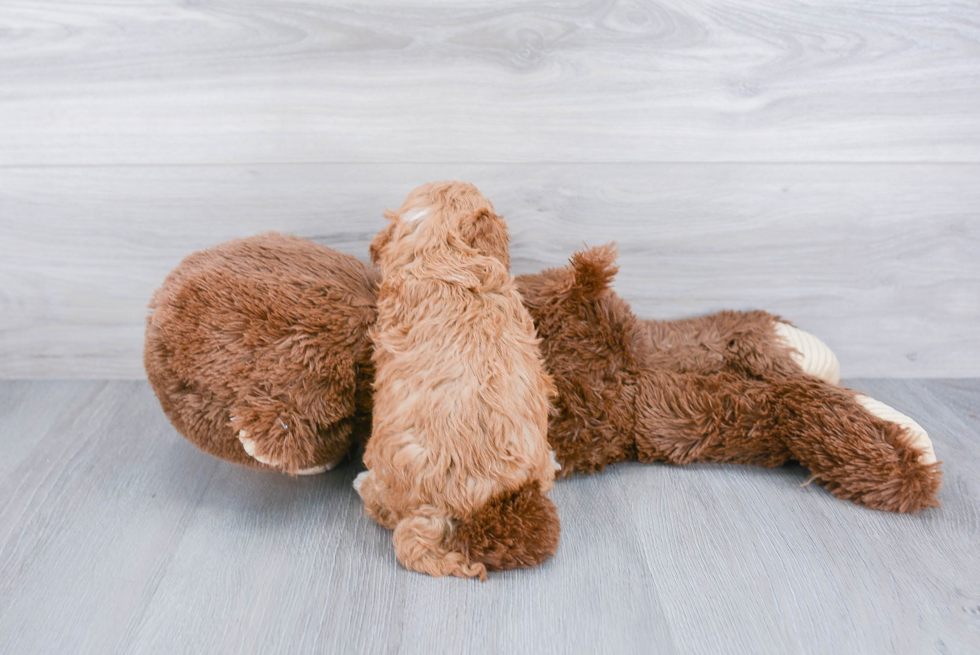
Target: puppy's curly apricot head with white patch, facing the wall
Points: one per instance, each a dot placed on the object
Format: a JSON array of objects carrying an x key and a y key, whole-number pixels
[{"x": 441, "y": 216}]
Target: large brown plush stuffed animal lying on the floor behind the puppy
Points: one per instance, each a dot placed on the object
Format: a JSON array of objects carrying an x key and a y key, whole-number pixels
[{"x": 258, "y": 351}]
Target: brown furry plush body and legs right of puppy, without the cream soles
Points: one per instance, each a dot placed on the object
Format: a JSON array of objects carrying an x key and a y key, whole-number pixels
[{"x": 631, "y": 389}]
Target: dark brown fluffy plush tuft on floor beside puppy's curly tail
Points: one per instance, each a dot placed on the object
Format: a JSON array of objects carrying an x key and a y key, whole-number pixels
[{"x": 515, "y": 530}]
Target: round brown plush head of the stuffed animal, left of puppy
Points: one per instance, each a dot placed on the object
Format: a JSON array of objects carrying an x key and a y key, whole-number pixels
[{"x": 268, "y": 336}]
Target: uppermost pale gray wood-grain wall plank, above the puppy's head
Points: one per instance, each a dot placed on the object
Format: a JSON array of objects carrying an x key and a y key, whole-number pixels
[{"x": 122, "y": 82}]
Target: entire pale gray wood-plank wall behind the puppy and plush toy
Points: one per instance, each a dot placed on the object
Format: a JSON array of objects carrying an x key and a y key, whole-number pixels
[{"x": 820, "y": 160}]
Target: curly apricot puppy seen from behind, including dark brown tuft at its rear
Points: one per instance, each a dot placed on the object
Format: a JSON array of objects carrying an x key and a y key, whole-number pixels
[{"x": 458, "y": 452}]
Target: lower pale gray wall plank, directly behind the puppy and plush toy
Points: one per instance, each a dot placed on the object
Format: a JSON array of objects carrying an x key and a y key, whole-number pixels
[{"x": 879, "y": 261}]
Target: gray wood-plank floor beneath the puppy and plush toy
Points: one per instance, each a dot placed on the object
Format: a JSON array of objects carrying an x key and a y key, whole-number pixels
[{"x": 117, "y": 536}]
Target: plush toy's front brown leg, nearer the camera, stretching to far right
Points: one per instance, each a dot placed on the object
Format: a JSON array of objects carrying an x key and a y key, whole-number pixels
[{"x": 856, "y": 453}]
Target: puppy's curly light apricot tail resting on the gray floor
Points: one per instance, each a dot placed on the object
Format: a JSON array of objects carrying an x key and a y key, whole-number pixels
[{"x": 420, "y": 545}]
